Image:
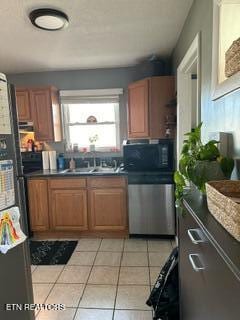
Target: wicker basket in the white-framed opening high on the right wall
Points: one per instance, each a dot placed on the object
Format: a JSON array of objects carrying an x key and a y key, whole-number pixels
[{"x": 232, "y": 58}]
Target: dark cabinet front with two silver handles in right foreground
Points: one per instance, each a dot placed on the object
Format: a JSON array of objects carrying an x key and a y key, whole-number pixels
[{"x": 211, "y": 292}]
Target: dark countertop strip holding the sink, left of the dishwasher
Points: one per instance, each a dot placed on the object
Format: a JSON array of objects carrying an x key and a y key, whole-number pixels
[{"x": 63, "y": 173}]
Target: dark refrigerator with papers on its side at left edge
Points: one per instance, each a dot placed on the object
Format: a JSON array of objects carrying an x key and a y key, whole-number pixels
[{"x": 15, "y": 268}]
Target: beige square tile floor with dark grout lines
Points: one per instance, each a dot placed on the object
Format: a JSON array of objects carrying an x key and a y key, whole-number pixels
[{"x": 105, "y": 279}]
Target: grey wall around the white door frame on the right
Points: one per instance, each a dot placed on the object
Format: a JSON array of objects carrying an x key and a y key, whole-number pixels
[{"x": 223, "y": 114}]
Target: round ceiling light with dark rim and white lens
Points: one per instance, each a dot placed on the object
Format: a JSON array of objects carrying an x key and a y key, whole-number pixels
[{"x": 48, "y": 19}]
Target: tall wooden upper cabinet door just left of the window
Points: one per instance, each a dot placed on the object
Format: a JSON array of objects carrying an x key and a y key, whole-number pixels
[{"x": 42, "y": 114}]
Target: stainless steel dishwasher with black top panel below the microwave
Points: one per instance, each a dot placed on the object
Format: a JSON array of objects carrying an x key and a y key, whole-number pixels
[{"x": 151, "y": 203}]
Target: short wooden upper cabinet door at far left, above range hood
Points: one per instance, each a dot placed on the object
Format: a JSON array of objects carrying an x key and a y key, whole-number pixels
[{"x": 23, "y": 105}]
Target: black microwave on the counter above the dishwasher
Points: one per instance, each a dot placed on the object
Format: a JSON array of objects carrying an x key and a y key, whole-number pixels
[{"x": 157, "y": 156}]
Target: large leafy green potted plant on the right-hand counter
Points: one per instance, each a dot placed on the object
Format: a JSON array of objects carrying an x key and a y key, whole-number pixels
[{"x": 200, "y": 163}]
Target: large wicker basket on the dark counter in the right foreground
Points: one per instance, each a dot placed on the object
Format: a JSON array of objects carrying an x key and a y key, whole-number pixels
[{"x": 223, "y": 198}]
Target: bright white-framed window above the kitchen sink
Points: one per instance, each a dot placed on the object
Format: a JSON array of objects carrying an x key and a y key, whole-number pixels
[{"x": 91, "y": 119}]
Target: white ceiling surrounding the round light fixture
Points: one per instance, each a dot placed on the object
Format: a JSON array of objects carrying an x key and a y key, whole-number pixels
[{"x": 101, "y": 33}]
